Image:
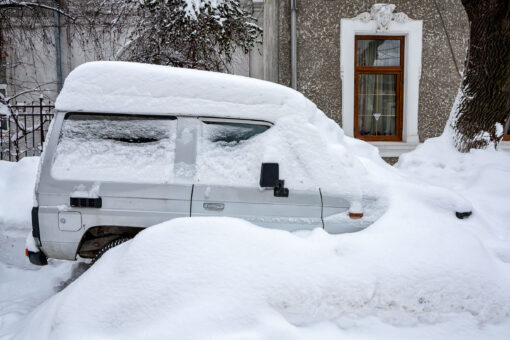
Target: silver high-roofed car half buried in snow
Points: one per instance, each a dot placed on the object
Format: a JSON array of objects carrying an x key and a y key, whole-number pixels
[{"x": 133, "y": 145}]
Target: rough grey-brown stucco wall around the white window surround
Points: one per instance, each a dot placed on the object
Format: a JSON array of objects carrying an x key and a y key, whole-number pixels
[{"x": 318, "y": 71}]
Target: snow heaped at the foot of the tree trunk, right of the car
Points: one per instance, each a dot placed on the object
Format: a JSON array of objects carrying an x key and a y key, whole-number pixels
[{"x": 480, "y": 176}]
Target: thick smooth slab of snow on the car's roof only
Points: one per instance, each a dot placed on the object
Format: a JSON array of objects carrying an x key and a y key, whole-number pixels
[{"x": 123, "y": 87}]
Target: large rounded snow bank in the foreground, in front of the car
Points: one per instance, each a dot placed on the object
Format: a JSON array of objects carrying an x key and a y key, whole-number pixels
[{"x": 234, "y": 279}]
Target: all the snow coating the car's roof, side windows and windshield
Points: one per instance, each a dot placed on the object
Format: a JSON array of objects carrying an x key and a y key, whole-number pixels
[{"x": 310, "y": 148}]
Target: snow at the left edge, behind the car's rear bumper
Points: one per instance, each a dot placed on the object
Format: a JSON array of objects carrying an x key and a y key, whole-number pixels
[{"x": 22, "y": 286}]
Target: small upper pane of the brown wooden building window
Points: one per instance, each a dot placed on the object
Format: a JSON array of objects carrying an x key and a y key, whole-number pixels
[{"x": 378, "y": 52}]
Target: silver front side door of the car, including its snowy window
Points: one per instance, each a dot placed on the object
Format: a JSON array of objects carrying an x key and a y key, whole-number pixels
[{"x": 230, "y": 154}]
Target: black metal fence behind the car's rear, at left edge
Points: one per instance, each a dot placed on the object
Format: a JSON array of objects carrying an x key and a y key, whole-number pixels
[{"x": 22, "y": 132}]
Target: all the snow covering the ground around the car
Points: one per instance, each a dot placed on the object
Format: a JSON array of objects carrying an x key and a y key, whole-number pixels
[{"x": 417, "y": 272}]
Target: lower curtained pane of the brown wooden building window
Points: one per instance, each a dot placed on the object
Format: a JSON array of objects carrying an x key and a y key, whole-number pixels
[{"x": 377, "y": 102}]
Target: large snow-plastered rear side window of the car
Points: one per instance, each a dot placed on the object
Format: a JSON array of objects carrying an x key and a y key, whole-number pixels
[{"x": 119, "y": 148}]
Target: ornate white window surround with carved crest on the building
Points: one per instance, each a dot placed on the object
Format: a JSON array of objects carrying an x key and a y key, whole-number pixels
[{"x": 381, "y": 21}]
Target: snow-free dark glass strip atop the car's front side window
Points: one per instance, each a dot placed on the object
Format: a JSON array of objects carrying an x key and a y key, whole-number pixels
[{"x": 231, "y": 133}]
